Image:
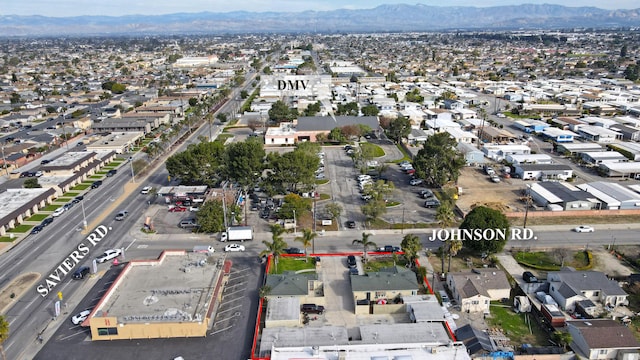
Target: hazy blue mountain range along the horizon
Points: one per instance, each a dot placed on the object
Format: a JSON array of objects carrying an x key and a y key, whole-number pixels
[{"x": 383, "y": 18}]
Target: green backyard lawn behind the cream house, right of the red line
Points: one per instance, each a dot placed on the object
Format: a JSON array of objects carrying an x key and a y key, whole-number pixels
[{"x": 515, "y": 326}]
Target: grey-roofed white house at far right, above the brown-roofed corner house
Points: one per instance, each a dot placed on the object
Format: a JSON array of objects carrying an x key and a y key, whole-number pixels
[{"x": 569, "y": 286}]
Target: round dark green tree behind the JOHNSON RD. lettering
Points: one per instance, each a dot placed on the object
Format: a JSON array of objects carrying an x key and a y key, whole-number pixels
[{"x": 482, "y": 218}]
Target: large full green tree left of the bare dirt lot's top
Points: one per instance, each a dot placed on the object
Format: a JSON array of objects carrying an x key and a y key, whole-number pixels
[{"x": 439, "y": 162}]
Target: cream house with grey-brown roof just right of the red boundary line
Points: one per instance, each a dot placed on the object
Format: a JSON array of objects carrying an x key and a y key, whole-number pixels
[{"x": 473, "y": 290}]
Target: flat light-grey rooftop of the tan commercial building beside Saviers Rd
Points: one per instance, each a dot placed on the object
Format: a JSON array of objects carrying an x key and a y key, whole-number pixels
[{"x": 177, "y": 287}]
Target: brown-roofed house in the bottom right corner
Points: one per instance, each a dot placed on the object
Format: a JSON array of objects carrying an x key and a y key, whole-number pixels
[{"x": 602, "y": 339}]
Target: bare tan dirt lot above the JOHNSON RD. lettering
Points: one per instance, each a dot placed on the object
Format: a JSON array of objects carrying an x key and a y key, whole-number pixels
[{"x": 478, "y": 189}]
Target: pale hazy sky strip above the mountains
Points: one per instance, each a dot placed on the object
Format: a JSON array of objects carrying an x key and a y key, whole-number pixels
[{"x": 63, "y": 8}]
